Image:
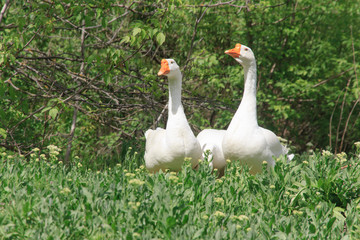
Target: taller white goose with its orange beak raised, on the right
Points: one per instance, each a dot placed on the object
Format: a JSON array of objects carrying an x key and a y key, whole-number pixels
[{"x": 245, "y": 140}]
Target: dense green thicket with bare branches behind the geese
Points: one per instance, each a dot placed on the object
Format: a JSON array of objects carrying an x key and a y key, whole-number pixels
[{"x": 84, "y": 72}]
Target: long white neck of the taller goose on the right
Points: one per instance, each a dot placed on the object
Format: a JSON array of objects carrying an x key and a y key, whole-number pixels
[{"x": 246, "y": 112}]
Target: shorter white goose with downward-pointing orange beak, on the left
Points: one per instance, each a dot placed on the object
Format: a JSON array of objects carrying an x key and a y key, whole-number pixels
[{"x": 167, "y": 148}]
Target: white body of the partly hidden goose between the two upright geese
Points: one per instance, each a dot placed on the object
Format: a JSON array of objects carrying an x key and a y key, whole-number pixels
[{"x": 211, "y": 140}]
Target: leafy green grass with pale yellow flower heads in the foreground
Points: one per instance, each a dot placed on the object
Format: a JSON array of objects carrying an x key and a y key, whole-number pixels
[{"x": 311, "y": 197}]
